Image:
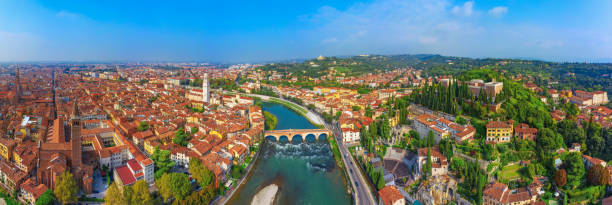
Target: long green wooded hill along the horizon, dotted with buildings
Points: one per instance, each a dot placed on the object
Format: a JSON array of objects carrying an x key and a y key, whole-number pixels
[{"x": 584, "y": 76}]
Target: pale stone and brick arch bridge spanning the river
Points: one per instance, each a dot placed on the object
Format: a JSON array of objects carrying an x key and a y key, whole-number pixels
[{"x": 298, "y": 135}]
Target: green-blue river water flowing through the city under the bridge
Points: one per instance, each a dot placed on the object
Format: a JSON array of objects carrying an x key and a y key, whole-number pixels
[{"x": 306, "y": 173}]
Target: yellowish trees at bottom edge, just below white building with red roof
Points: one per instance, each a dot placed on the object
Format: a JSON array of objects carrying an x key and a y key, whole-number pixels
[{"x": 137, "y": 194}]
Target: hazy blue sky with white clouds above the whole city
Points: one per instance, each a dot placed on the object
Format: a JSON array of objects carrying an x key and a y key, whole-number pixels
[{"x": 250, "y": 31}]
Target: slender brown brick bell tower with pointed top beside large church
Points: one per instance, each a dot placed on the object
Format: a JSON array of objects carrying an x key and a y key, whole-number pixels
[{"x": 75, "y": 136}]
